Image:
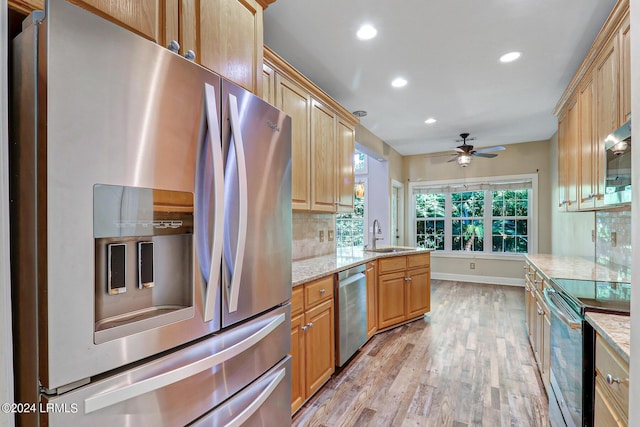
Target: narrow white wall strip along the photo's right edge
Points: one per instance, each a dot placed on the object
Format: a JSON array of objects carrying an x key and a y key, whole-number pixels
[{"x": 634, "y": 389}]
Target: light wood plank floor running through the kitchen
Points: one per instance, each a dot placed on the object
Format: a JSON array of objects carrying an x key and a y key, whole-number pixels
[{"x": 466, "y": 363}]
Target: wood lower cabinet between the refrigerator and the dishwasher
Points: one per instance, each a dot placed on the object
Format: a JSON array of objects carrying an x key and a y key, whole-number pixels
[{"x": 312, "y": 339}]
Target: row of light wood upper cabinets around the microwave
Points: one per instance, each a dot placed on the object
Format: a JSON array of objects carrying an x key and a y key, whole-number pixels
[{"x": 602, "y": 86}]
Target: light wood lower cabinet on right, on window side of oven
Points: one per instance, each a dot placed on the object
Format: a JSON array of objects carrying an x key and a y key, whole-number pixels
[{"x": 538, "y": 321}]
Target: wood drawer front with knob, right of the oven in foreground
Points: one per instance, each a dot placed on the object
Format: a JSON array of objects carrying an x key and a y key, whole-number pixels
[{"x": 609, "y": 363}]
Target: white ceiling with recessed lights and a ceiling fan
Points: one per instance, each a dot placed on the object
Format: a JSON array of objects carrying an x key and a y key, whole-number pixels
[{"x": 448, "y": 50}]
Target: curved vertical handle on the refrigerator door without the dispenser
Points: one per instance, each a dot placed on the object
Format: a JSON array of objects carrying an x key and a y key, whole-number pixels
[{"x": 233, "y": 287}]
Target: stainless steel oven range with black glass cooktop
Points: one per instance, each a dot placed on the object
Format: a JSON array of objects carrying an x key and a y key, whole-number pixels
[{"x": 572, "y": 344}]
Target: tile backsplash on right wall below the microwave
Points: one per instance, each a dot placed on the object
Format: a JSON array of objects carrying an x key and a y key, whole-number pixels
[{"x": 613, "y": 239}]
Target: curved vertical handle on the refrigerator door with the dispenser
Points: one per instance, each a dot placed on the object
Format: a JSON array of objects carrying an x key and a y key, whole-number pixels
[{"x": 209, "y": 252}]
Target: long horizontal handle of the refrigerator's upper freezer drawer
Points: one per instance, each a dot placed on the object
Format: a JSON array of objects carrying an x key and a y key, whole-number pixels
[{"x": 131, "y": 391}]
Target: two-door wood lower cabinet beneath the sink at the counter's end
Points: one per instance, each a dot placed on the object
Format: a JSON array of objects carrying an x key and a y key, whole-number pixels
[{"x": 404, "y": 288}]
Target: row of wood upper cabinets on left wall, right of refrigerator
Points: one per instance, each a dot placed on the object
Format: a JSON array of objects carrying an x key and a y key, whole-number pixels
[{"x": 323, "y": 140}]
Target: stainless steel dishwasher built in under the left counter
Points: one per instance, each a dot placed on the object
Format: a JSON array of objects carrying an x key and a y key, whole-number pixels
[{"x": 351, "y": 330}]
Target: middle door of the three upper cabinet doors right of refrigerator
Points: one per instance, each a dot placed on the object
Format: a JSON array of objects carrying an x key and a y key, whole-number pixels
[{"x": 323, "y": 187}]
